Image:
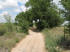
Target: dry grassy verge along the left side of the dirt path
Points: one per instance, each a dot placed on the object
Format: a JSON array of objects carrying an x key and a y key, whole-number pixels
[{"x": 8, "y": 41}]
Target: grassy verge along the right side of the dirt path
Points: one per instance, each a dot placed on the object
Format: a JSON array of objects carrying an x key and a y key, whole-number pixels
[{"x": 52, "y": 37}]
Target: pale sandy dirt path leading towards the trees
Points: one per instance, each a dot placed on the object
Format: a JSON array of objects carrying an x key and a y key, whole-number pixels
[{"x": 32, "y": 43}]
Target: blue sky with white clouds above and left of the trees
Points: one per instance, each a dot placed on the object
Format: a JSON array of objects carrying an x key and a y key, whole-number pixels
[{"x": 13, "y": 7}]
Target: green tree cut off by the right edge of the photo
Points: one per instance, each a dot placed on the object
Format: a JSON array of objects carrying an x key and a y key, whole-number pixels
[{"x": 66, "y": 4}]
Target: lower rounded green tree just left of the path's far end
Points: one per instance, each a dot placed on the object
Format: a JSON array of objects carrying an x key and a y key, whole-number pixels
[{"x": 23, "y": 20}]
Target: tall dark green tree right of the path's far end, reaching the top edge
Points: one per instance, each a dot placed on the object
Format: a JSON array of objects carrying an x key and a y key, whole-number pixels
[{"x": 46, "y": 13}]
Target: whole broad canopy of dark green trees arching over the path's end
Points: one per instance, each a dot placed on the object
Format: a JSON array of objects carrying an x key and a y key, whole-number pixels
[{"x": 44, "y": 10}]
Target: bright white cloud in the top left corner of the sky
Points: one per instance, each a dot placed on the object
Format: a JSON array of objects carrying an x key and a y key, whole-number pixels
[{"x": 9, "y": 3}]
